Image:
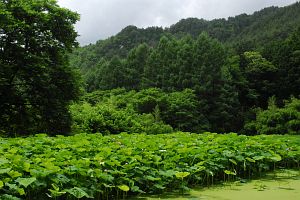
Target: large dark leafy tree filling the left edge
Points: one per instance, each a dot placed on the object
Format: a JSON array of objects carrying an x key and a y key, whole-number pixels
[{"x": 36, "y": 83}]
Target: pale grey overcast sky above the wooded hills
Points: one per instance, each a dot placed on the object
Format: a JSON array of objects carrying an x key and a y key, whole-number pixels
[{"x": 101, "y": 19}]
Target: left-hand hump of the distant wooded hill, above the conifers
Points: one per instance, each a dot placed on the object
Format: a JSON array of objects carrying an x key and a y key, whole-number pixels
[{"x": 121, "y": 44}]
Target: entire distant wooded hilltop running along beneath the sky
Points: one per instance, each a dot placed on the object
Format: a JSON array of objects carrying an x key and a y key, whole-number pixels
[{"x": 243, "y": 32}]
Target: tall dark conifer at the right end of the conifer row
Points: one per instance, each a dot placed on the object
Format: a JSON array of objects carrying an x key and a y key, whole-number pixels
[{"x": 218, "y": 101}]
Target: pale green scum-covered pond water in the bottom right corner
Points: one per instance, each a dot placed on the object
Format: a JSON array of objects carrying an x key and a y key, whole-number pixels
[{"x": 280, "y": 185}]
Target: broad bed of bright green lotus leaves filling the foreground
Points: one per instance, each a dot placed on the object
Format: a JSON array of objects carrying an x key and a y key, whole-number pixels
[{"x": 111, "y": 167}]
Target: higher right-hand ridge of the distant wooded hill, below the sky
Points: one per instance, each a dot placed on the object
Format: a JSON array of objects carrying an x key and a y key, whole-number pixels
[{"x": 245, "y": 32}]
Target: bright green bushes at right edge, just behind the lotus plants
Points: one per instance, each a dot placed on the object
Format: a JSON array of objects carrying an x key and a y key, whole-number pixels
[{"x": 276, "y": 120}]
